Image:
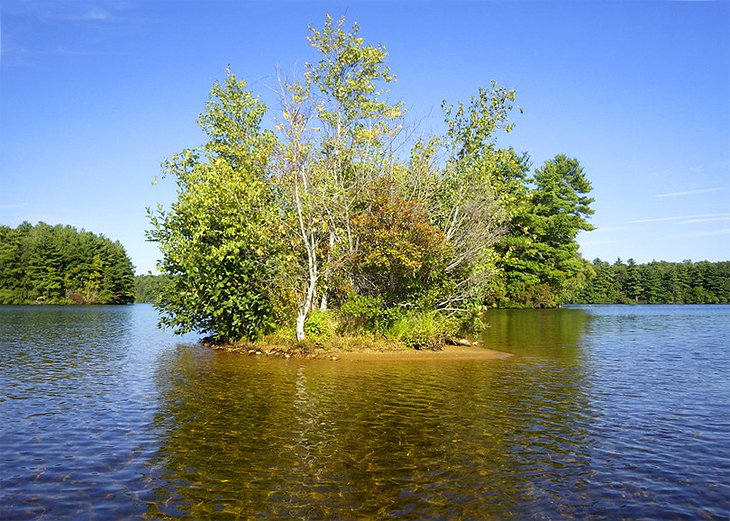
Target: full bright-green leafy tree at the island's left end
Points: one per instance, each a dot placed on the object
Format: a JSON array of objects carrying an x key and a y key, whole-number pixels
[{"x": 220, "y": 240}]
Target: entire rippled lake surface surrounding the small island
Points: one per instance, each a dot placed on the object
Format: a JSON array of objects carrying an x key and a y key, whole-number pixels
[{"x": 603, "y": 413}]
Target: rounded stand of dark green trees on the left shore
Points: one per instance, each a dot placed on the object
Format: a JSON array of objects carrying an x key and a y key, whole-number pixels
[{"x": 45, "y": 264}]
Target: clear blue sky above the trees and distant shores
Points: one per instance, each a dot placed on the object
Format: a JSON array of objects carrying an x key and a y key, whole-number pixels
[{"x": 95, "y": 94}]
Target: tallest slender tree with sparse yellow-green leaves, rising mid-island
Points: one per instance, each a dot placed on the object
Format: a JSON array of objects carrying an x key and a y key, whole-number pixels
[{"x": 356, "y": 128}]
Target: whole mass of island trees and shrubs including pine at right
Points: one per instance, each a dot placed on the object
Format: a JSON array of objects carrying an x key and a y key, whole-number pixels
[{"x": 340, "y": 219}]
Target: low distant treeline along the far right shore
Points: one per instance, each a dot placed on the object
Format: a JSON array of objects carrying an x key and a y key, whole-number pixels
[{"x": 657, "y": 282}]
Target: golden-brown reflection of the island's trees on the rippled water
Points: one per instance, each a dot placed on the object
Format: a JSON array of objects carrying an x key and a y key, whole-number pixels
[{"x": 320, "y": 440}]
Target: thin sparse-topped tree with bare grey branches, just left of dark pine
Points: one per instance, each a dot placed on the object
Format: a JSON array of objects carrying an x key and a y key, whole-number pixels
[{"x": 469, "y": 205}]
